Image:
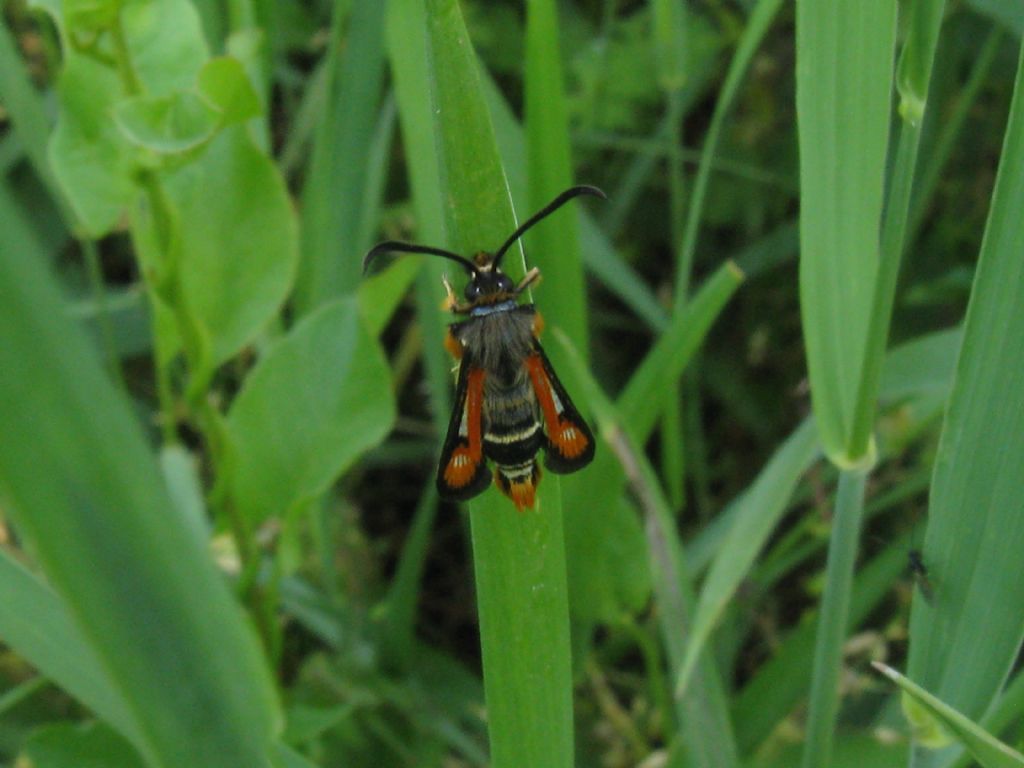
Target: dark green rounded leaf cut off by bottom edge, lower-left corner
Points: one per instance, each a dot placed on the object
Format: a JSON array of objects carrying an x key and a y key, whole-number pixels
[{"x": 68, "y": 746}]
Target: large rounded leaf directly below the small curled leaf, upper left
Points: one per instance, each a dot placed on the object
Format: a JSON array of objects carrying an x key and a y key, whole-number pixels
[{"x": 239, "y": 240}]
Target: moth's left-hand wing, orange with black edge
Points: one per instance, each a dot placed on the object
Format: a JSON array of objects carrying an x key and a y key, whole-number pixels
[{"x": 462, "y": 472}]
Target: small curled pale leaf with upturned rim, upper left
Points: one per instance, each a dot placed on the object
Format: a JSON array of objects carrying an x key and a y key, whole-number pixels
[{"x": 167, "y": 125}]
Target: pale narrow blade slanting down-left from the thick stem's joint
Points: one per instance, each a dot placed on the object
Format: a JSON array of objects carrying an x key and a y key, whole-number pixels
[{"x": 760, "y": 510}]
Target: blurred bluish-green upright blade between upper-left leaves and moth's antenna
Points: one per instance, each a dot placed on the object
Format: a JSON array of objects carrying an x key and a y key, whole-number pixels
[{"x": 334, "y": 196}]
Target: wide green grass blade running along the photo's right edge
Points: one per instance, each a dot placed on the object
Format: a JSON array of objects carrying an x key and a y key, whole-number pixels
[{"x": 976, "y": 522}]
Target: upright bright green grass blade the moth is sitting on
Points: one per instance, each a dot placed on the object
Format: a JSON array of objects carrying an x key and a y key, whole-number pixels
[{"x": 519, "y": 559}]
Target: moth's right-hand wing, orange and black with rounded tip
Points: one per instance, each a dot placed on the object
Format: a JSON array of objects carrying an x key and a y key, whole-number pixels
[{"x": 569, "y": 442}]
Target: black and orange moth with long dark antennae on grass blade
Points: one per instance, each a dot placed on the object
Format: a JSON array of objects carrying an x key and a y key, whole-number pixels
[{"x": 509, "y": 403}]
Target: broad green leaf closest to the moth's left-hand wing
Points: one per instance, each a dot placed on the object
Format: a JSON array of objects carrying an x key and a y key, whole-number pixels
[{"x": 318, "y": 399}]
